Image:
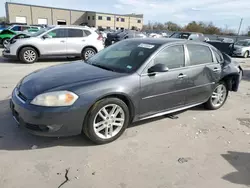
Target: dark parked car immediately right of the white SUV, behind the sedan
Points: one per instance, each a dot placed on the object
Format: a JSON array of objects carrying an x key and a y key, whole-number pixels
[{"x": 121, "y": 35}]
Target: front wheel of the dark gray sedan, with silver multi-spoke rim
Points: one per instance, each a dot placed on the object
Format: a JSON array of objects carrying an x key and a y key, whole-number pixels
[{"x": 106, "y": 121}]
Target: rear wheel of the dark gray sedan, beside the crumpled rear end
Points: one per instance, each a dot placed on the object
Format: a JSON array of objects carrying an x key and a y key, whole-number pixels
[{"x": 218, "y": 97}]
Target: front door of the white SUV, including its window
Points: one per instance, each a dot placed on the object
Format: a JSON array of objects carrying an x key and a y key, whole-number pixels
[{"x": 56, "y": 44}]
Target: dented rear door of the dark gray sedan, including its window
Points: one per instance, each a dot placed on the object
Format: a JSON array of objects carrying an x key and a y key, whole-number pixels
[{"x": 203, "y": 73}]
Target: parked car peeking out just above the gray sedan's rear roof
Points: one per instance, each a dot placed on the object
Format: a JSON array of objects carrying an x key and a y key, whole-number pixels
[{"x": 189, "y": 36}]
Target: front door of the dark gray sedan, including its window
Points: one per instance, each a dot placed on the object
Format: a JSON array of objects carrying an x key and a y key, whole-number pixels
[{"x": 164, "y": 91}]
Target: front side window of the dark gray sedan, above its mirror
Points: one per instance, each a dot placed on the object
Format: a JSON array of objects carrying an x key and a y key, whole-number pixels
[{"x": 173, "y": 57}]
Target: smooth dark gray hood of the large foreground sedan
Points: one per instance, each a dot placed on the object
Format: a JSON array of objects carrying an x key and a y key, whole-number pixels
[{"x": 62, "y": 76}]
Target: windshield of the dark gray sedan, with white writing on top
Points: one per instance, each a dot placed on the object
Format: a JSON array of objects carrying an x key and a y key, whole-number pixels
[{"x": 125, "y": 56}]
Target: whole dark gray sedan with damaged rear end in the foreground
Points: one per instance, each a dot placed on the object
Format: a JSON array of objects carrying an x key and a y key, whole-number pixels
[{"x": 129, "y": 81}]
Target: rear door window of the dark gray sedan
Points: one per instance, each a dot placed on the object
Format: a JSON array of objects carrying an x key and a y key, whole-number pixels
[{"x": 199, "y": 54}]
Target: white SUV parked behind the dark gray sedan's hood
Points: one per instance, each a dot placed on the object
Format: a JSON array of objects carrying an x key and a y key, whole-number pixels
[{"x": 55, "y": 41}]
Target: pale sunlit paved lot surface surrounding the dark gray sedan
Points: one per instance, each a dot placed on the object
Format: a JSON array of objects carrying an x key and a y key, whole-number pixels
[{"x": 199, "y": 149}]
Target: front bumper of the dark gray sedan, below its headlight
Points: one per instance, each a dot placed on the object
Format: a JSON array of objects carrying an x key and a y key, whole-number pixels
[{"x": 47, "y": 121}]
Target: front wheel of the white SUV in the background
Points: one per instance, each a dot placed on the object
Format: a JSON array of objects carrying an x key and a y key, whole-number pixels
[{"x": 28, "y": 55}]
